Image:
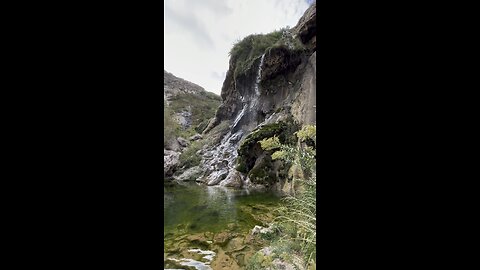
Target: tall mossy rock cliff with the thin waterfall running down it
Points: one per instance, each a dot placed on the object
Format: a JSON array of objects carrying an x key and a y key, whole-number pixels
[{"x": 274, "y": 95}]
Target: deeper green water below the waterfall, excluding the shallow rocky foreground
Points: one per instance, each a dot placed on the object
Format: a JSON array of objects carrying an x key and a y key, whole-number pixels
[{"x": 194, "y": 208}]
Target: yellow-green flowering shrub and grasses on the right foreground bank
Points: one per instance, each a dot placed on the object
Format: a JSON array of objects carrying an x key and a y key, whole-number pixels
[{"x": 298, "y": 215}]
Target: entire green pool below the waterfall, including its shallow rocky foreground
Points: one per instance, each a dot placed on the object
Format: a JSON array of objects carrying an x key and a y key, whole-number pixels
[{"x": 209, "y": 227}]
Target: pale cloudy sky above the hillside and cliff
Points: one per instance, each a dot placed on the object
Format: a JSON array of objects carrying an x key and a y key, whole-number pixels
[{"x": 200, "y": 33}]
